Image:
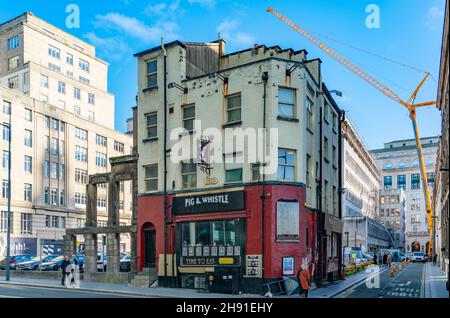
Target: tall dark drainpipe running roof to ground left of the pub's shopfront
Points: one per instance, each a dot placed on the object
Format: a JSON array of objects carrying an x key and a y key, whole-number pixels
[{"x": 165, "y": 158}]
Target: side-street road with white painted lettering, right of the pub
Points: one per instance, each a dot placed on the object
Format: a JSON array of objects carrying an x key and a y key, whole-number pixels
[{"x": 407, "y": 283}]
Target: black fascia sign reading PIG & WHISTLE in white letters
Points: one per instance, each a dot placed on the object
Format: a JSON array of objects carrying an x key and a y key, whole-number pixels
[{"x": 212, "y": 202}]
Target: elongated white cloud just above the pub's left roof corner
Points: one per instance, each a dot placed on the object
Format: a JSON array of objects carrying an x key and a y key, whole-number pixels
[{"x": 135, "y": 28}]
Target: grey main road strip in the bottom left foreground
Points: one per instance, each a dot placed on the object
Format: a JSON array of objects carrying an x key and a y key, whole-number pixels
[{"x": 19, "y": 291}]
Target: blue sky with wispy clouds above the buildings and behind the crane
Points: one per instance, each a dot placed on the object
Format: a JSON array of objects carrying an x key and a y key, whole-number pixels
[{"x": 410, "y": 31}]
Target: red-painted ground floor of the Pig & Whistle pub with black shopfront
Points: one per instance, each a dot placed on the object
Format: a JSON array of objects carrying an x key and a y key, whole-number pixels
[{"x": 215, "y": 239}]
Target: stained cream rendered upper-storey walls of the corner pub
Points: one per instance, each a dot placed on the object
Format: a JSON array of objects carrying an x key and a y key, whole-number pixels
[{"x": 207, "y": 94}]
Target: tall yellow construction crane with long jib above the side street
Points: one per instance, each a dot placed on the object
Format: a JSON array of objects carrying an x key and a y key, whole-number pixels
[{"x": 410, "y": 104}]
